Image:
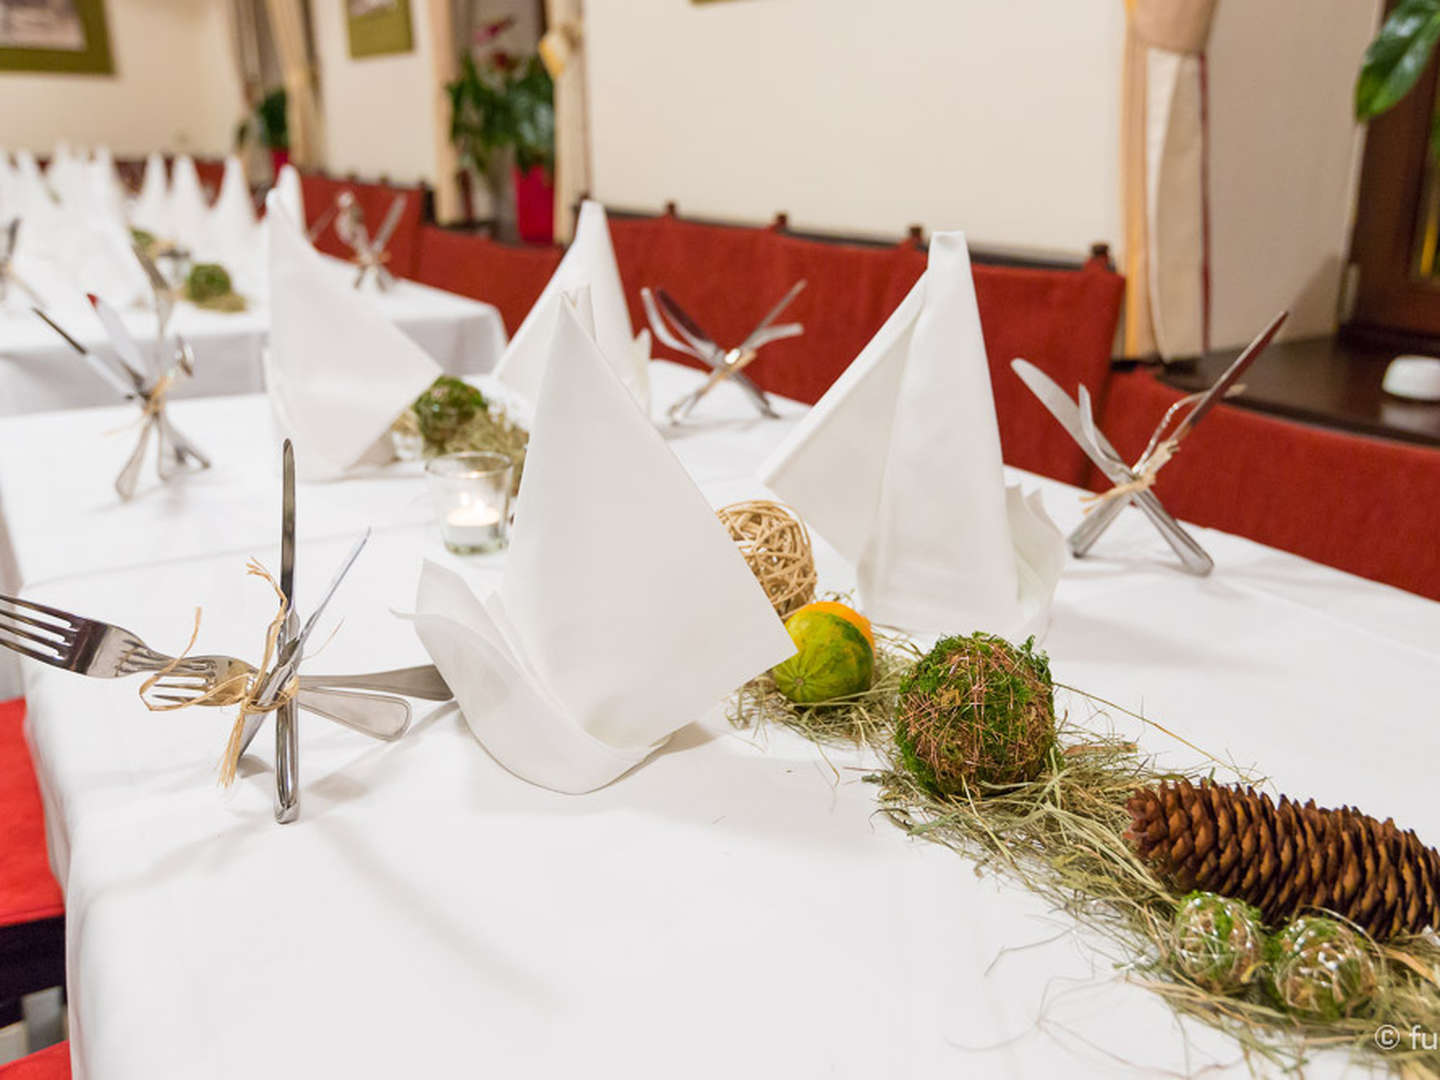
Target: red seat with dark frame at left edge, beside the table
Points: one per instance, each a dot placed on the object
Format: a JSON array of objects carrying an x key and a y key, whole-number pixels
[{"x": 32, "y": 909}]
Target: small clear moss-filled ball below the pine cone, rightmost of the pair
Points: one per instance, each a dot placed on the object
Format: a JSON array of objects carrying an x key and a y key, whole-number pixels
[{"x": 1321, "y": 970}]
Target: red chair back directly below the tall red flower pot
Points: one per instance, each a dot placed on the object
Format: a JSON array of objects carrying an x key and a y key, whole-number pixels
[{"x": 473, "y": 266}]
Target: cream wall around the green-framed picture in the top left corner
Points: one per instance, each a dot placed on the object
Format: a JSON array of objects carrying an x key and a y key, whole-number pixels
[{"x": 175, "y": 87}]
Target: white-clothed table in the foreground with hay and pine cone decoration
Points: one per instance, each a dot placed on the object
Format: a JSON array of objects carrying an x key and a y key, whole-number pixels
[{"x": 732, "y": 908}]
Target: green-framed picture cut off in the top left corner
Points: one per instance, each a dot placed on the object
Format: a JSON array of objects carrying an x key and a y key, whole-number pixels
[{"x": 66, "y": 37}]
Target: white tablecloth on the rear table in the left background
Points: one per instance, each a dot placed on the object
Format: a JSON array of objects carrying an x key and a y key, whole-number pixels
[{"x": 40, "y": 372}]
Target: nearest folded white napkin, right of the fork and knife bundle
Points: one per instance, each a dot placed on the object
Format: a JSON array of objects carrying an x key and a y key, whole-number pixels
[{"x": 626, "y": 611}]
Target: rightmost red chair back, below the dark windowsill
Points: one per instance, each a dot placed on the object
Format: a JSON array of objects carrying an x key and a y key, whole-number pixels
[{"x": 1363, "y": 505}]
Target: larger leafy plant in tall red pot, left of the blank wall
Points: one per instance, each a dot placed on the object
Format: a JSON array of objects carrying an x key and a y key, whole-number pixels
[{"x": 503, "y": 113}]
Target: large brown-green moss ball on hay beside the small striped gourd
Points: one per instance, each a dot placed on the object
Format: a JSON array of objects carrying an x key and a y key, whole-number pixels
[{"x": 976, "y": 712}]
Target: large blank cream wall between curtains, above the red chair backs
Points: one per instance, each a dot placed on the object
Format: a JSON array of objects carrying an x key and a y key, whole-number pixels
[{"x": 862, "y": 117}]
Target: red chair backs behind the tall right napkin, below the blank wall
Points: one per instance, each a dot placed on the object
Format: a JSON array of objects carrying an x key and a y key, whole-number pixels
[{"x": 728, "y": 277}]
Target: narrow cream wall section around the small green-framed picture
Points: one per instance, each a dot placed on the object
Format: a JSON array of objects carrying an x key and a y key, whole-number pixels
[{"x": 379, "y": 113}]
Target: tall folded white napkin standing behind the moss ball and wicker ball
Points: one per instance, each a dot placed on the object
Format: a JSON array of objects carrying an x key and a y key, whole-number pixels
[{"x": 899, "y": 469}]
